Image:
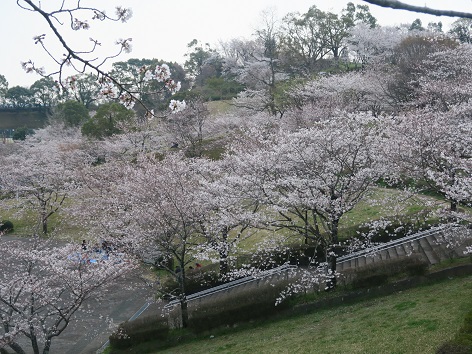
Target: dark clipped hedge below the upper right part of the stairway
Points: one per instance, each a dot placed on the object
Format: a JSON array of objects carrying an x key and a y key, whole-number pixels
[{"x": 376, "y": 274}]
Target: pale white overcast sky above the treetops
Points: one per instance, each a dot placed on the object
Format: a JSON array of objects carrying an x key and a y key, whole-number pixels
[{"x": 162, "y": 29}]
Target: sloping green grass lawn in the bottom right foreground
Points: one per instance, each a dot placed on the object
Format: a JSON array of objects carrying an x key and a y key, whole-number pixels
[{"x": 418, "y": 320}]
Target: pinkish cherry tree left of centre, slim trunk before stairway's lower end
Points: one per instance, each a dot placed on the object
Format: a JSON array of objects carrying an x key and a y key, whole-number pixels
[{"x": 150, "y": 207}]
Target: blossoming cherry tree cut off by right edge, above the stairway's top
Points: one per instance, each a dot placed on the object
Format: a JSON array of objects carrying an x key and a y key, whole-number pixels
[{"x": 434, "y": 148}]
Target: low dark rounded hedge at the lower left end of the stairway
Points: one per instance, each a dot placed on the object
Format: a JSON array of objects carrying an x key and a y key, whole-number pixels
[{"x": 138, "y": 331}]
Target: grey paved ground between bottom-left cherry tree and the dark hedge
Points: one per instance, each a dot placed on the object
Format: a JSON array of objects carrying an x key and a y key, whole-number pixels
[{"x": 89, "y": 331}]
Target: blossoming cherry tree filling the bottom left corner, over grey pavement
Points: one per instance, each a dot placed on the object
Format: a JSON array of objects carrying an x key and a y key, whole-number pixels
[{"x": 44, "y": 286}]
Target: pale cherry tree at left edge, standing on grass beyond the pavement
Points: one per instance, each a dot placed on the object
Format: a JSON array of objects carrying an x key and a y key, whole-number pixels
[{"x": 39, "y": 172}]
